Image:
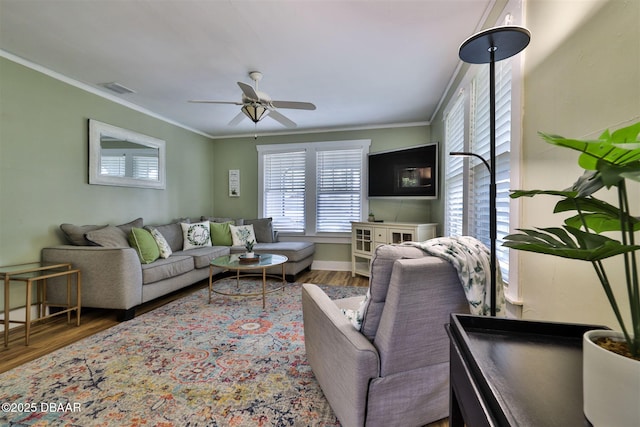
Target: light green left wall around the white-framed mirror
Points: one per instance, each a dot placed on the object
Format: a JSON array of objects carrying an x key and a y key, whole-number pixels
[{"x": 44, "y": 165}]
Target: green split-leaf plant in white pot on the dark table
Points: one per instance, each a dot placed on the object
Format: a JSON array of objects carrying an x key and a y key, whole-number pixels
[{"x": 609, "y": 162}]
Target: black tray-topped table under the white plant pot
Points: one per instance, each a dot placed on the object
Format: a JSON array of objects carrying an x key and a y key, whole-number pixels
[{"x": 507, "y": 372}]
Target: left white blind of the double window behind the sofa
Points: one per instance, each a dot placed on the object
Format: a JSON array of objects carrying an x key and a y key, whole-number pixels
[{"x": 284, "y": 190}]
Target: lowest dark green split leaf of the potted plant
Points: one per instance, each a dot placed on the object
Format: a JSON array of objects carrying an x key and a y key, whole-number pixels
[{"x": 567, "y": 243}]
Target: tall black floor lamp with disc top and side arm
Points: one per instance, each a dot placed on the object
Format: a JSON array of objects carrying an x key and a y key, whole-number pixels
[{"x": 490, "y": 46}]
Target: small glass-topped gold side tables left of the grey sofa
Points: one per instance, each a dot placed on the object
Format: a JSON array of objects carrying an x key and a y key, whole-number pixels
[{"x": 39, "y": 273}]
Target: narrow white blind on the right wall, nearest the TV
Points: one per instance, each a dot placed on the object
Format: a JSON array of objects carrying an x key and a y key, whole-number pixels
[{"x": 454, "y": 170}]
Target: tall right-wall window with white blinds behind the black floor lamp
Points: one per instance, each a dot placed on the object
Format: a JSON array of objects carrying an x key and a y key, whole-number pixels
[{"x": 470, "y": 215}]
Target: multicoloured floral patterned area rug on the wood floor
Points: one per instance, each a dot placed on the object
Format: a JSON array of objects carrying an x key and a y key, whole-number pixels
[{"x": 188, "y": 363}]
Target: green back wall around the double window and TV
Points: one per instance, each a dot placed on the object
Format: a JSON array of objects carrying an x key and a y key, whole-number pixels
[{"x": 241, "y": 153}]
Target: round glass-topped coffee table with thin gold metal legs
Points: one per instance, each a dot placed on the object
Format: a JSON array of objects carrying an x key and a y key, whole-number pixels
[{"x": 239, "y": 264}]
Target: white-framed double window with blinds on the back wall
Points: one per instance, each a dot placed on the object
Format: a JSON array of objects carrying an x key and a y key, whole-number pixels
[{"x": 313, "y": 188}]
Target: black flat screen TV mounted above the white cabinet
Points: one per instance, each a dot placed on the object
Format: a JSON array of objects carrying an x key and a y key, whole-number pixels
[{"x": 407, "y": 173}]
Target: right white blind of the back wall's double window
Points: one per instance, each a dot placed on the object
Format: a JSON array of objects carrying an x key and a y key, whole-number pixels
[{"x": 338, "y": 193}]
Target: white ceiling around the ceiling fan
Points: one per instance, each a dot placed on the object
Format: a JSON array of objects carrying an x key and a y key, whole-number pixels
[{"x": 362, "y": 63}]
